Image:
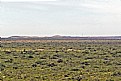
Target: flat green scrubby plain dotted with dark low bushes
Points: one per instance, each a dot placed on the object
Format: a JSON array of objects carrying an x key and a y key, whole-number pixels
[{"x": 60, "y": 60}]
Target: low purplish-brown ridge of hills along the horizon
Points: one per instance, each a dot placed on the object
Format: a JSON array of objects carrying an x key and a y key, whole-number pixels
[{"x": 58, "y": 37}]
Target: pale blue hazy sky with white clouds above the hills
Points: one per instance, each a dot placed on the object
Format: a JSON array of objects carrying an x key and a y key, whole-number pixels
[{"x": 60, "y": 17}]
